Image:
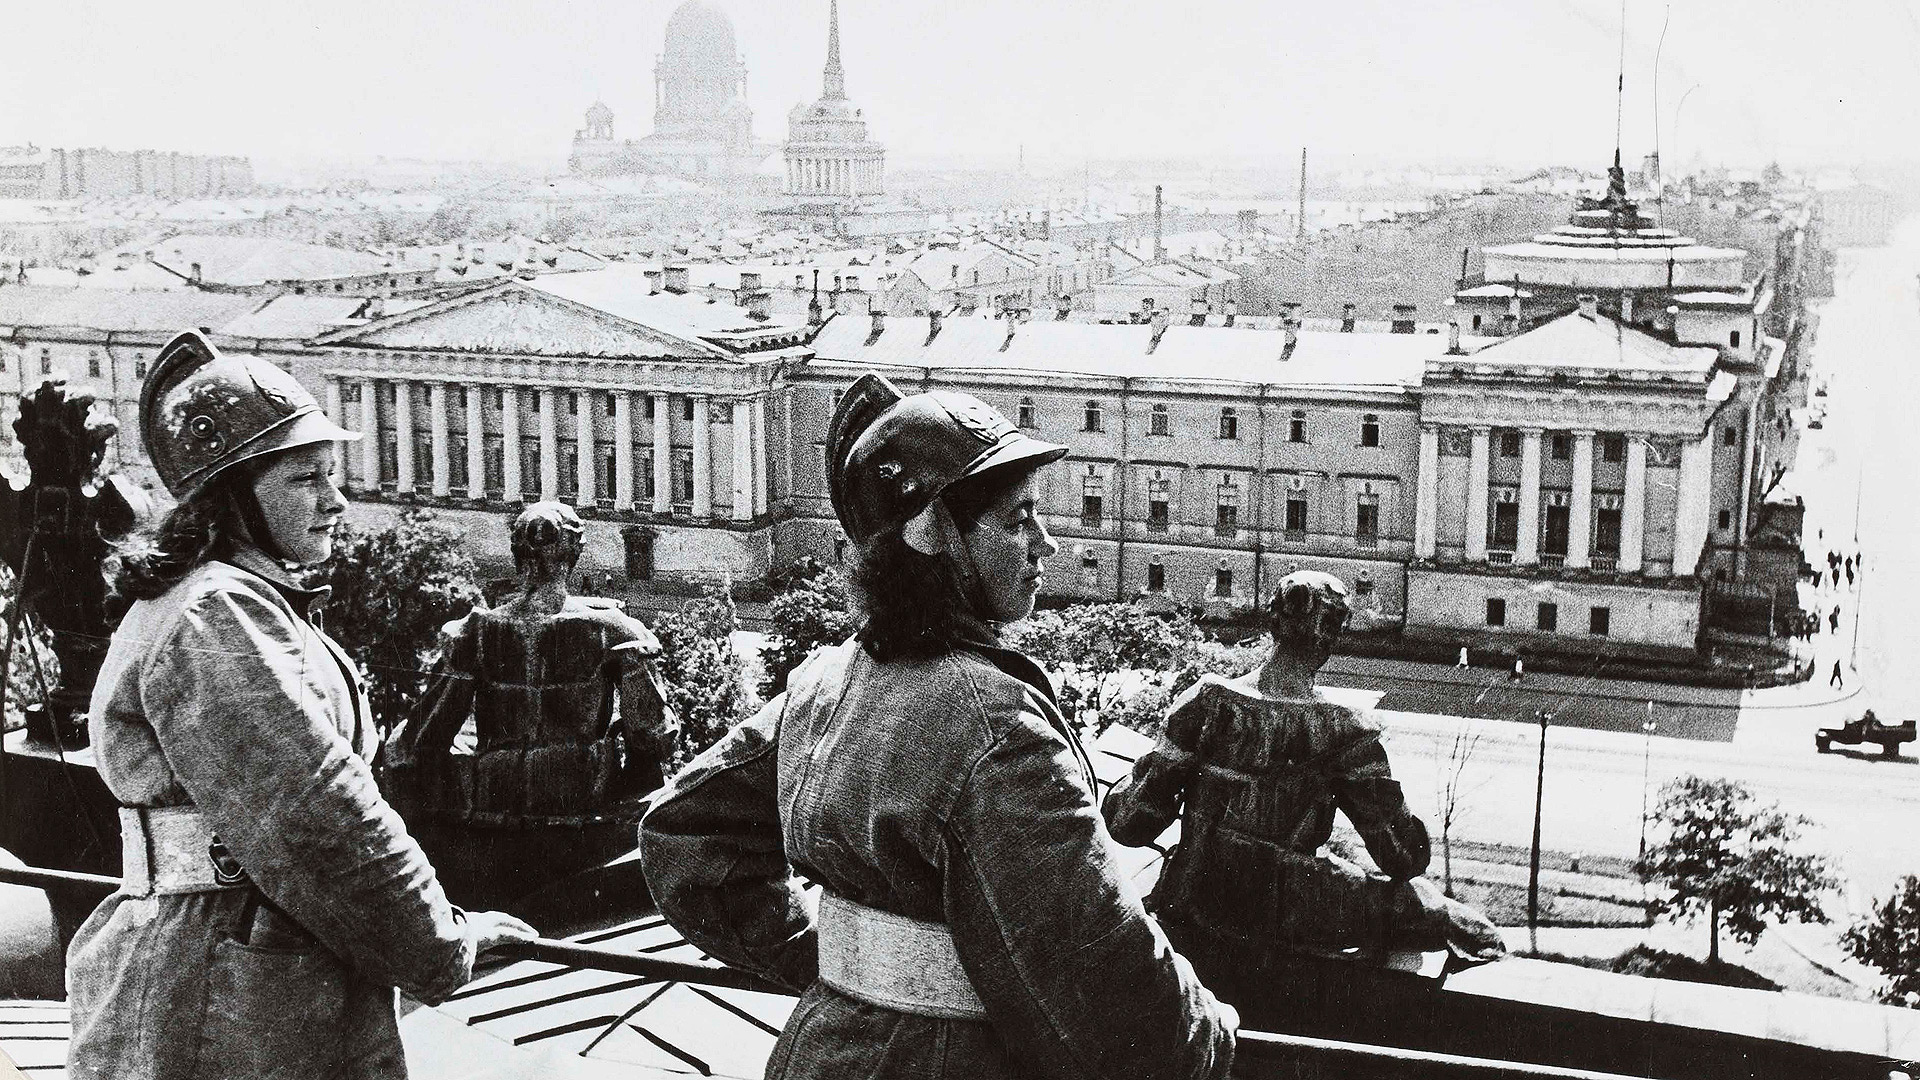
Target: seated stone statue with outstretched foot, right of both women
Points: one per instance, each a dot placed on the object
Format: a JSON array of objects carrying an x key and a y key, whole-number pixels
[{"x": 1255, "y": 770}]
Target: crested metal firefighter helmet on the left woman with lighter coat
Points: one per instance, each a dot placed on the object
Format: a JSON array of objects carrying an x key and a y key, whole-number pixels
[{"x": 203, "y": 412}]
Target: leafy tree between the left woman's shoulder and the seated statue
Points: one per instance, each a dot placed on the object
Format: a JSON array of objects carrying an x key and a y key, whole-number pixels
[{"x": 393, "y": 591}]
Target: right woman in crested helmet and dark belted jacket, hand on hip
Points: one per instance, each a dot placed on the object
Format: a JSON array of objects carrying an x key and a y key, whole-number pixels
[{"x": 972, "y": 920}]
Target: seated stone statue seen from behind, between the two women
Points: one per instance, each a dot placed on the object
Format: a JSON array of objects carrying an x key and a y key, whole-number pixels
[{"x": 544, "y": 720}]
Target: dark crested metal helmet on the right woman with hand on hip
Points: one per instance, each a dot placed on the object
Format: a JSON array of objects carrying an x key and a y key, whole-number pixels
[{"x": 890, "y": 456}]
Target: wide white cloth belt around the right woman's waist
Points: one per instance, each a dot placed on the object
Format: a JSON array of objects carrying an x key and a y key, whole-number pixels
[{"x": 894, "y": 962}]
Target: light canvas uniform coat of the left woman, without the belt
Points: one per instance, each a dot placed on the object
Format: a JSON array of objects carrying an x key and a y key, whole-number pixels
[{"x": 224, "y": 697}]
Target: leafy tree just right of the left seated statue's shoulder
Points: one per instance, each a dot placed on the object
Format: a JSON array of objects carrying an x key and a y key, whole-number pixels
[{"x": 702, "y": 670}]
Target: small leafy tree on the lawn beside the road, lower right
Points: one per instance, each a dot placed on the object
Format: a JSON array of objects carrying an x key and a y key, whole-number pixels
[{"x": 1727, "y": 854}]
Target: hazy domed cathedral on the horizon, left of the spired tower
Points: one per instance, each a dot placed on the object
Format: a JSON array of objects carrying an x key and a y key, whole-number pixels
[{"x": 702, "y": 124}]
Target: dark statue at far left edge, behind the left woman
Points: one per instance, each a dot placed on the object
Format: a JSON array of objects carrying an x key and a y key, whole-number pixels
[{"x": 55, "y": 539}]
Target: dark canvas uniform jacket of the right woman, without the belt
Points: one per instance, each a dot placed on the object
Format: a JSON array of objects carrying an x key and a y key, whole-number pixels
[{"x": 948, "y": 791}]
